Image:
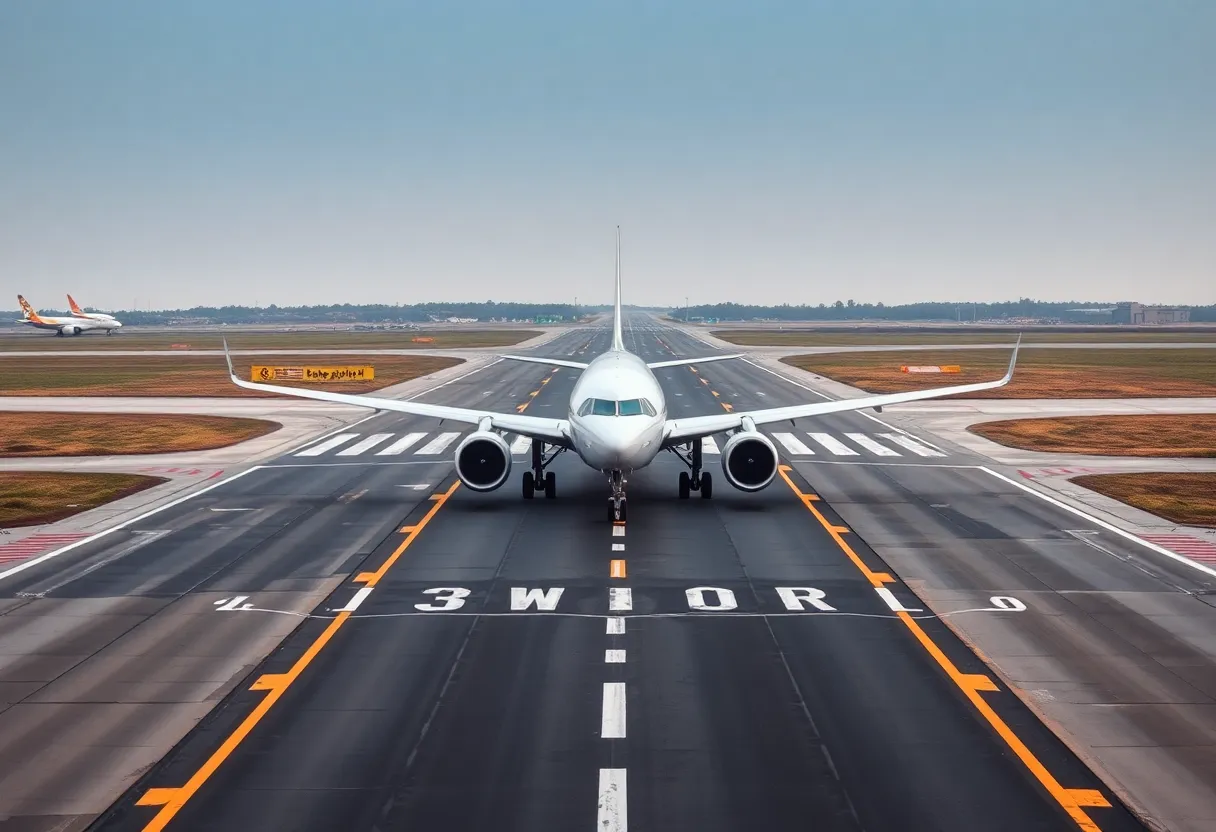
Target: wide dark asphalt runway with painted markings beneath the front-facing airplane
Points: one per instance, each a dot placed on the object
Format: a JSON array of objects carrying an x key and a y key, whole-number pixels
[{"x": 352, "y": 640}]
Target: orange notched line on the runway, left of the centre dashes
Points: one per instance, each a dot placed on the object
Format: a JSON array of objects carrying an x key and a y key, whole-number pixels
[{"x": 172, "y": 801}]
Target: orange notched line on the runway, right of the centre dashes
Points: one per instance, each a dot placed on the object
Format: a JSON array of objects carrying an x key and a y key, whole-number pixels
[{"x": 1073, "y": 801}]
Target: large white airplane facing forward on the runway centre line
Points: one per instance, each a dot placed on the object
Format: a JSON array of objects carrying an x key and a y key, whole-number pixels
[{"x": 617, "y": 424}]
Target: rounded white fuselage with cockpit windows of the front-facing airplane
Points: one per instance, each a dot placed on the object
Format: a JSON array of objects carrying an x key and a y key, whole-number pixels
[{"x": 623, "y": 428}]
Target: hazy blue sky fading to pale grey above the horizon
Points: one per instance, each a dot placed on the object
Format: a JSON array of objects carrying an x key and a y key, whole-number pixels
[{"x": 215, "y": 153}]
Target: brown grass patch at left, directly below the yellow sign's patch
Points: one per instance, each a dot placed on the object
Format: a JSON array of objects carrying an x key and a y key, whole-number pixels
[{"x": 98, "y": 435}]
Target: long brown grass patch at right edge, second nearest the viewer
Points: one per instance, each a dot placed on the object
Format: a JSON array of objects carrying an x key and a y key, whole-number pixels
[{"x": 1156, "y": 435}]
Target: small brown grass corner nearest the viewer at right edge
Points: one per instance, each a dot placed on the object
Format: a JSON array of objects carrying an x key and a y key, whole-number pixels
[{"x": 1180, "y": 498}]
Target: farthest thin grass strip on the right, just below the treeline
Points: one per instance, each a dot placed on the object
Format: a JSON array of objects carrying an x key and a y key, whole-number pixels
[{"x": 820, "y": 339}]
